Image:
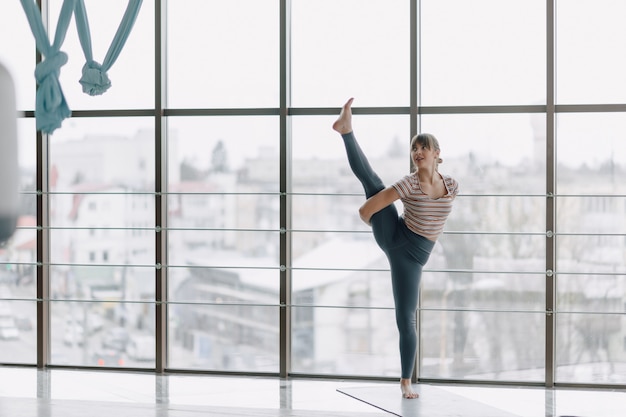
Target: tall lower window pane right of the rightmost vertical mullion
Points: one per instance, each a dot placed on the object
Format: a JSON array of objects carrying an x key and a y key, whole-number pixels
[{"x": 591, "y": 246}]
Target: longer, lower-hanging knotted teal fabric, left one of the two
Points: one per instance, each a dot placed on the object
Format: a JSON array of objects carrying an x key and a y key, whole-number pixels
[{"x": 50, "y": 106}]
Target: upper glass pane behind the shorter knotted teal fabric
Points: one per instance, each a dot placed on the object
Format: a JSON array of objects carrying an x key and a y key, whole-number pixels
[{"x": 131, "y": 75}]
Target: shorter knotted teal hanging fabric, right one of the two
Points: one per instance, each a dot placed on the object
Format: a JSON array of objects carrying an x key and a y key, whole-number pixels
[{"x": 95, "y": 80}]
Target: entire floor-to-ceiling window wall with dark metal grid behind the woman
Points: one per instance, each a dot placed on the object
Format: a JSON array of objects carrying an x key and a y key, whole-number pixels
[{"x": 201, "y": 214}]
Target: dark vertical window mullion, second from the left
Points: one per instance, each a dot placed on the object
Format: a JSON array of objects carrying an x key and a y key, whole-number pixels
[{"x": 160, "y": 205}]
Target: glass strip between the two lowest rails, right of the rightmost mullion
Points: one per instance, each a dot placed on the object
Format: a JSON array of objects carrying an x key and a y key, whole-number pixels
[{"x": 591, "y": 293}]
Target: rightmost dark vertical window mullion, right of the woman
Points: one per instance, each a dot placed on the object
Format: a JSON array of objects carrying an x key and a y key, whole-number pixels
[{"x": 550, "y": 196}]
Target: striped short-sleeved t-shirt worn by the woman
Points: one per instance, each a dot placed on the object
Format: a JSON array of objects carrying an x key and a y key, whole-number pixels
[{"x": 424, "y": 215}]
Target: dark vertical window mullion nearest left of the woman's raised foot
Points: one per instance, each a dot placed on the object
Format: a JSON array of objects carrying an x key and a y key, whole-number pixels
[{"x": 285, "y": 188}]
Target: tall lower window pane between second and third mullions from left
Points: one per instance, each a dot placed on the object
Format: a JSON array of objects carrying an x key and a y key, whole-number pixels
[{"x": 223, "y": 219}]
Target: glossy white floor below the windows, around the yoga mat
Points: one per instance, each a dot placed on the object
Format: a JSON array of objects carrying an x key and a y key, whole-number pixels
[{"x": 28, "y": 392}]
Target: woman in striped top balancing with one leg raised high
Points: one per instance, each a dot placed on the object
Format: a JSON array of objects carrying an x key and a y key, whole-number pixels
[{"x": 407, "y": 240}]
